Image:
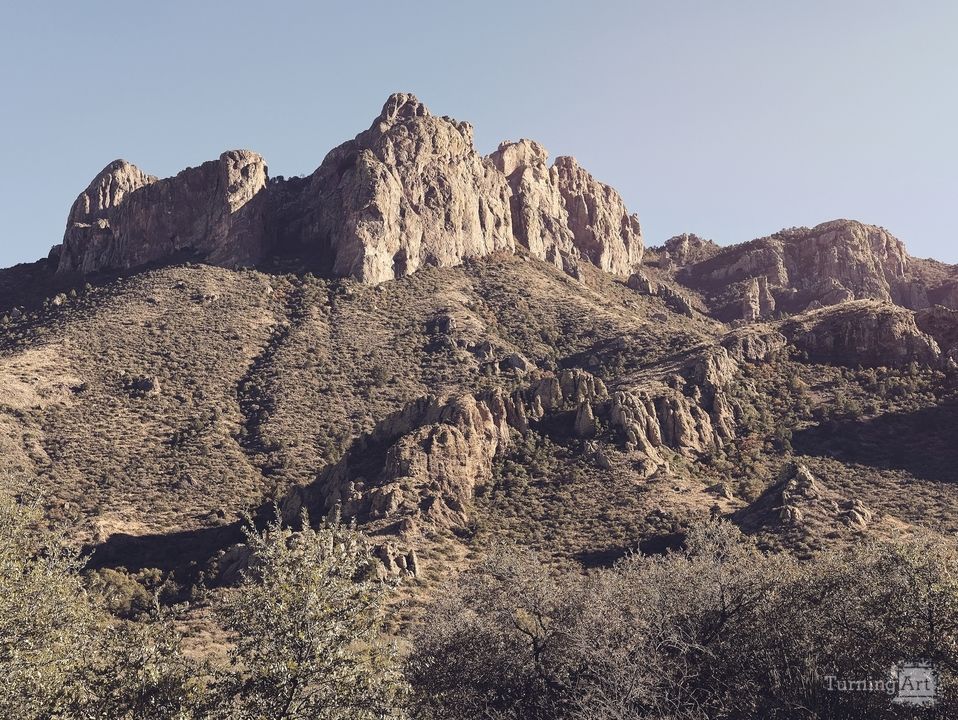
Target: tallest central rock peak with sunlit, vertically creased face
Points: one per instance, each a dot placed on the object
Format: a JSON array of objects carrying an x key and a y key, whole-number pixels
[{"x": 408, "y": 192}]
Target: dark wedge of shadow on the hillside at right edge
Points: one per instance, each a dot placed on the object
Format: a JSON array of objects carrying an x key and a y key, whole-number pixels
[{"x": 922, "y": 443}]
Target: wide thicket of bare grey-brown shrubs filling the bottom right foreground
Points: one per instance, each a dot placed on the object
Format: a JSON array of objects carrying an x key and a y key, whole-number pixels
[{"x": 718, "y": 629}]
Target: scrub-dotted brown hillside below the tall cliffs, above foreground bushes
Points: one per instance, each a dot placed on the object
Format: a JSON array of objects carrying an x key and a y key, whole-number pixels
[{"x": 171, "y": 401}]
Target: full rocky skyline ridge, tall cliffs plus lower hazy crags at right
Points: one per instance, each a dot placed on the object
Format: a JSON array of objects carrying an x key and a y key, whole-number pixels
[{"x": 412, "y": 191}]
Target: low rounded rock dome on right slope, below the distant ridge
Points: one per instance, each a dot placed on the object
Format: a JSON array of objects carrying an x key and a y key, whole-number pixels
[{"x": 862, "y": 332}]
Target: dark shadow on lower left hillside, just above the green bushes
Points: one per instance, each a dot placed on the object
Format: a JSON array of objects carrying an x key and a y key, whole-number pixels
[{"x": 172, "y": 551}]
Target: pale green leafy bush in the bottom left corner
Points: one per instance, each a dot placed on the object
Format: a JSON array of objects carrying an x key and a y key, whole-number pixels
[{"x": 61, "y": 654}]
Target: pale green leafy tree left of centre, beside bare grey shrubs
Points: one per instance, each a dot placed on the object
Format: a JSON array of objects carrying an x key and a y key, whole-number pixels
[{"x": 305, "y": 623}]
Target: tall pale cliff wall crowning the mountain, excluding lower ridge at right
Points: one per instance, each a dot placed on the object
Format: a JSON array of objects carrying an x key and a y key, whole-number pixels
[{"x": 409, "y": 192}]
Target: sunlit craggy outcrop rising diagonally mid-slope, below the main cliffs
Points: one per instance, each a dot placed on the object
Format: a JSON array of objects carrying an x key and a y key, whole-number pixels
[{"x": 420, "y": 466}]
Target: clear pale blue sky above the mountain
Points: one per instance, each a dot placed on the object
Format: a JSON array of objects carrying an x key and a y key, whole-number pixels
[{"x": 728, "y": 119}]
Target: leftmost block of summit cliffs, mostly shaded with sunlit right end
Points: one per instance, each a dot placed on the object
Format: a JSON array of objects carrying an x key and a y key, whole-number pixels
[{"x": 126, "y": 219}]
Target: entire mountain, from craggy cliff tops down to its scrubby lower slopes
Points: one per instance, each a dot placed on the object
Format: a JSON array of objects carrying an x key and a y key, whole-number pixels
[{"x": 454, "y": 350}]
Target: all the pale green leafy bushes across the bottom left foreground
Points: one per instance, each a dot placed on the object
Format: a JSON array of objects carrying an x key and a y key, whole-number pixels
[{"x": 305, "y": 626}]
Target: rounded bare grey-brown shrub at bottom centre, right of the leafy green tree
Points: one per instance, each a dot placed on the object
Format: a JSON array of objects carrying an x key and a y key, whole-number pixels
[{"x": 496, "y": 646}]
